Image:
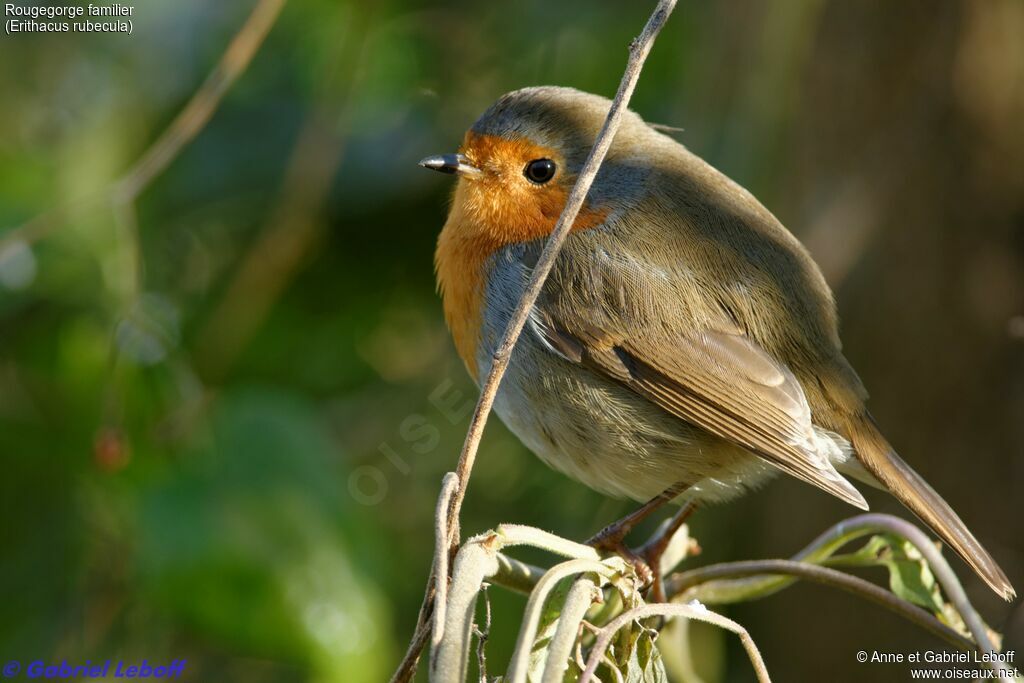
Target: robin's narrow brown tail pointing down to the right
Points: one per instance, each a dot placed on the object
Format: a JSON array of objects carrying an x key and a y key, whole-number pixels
[{"x": 881, "y": 460}]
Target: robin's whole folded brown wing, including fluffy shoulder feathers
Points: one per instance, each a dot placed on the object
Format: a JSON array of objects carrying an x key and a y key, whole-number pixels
[{"x": 714, "y": 377}]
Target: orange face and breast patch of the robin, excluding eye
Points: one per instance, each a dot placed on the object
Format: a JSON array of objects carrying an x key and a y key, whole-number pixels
[{"x": 491, "y": 211}]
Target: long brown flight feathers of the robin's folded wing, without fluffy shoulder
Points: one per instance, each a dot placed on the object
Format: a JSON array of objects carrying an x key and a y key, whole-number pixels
[{"x": 722, "y": 382}]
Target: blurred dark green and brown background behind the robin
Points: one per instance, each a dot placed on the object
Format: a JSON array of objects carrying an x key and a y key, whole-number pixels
[{"x": 217, "y": 431}]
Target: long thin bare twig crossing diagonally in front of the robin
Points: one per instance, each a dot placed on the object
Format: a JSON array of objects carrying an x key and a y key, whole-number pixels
[{"x": 639, "y": 50}]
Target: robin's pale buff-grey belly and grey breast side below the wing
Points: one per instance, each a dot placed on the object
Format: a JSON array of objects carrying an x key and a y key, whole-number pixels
[{"x": 595, "y": 431}]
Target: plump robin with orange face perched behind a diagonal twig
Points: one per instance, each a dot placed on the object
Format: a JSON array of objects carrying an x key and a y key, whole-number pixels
[{"x": 685, "y": 339}]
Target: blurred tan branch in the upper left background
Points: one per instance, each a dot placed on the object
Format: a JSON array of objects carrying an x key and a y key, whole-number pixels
[{"x": 182, "y": 132}]
